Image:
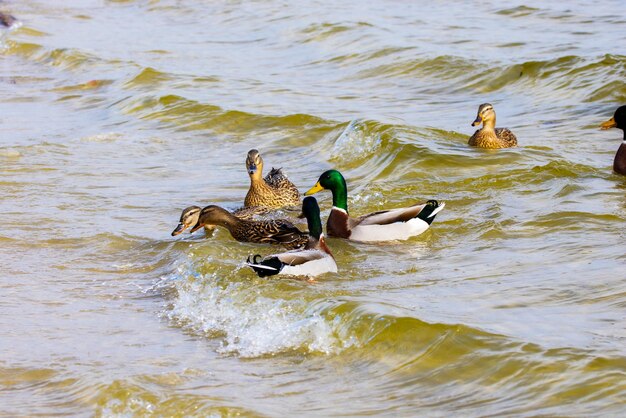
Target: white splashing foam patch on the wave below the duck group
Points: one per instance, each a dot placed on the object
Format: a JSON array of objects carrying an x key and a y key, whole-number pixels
[{"x": 250, "y": 324}]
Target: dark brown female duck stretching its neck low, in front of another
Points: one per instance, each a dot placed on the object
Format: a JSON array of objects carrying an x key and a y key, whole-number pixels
[{"x": 275, "y": 231}]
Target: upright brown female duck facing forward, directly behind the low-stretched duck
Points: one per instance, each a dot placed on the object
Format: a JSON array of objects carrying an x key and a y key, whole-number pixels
[{"x": 273, "y": 191}]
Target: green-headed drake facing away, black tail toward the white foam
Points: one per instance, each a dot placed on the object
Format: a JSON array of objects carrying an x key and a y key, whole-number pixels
[{"x": 313, "y": 260}]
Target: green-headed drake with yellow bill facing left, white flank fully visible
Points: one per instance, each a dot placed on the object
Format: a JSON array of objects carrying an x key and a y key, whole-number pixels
[{"x": 386, "y": 225}]
